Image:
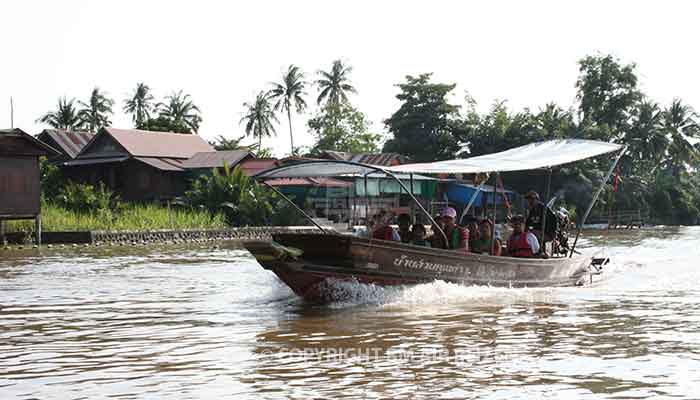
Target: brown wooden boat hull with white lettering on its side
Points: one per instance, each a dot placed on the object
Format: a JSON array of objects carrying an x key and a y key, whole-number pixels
[{"x": 306, "y": 262}]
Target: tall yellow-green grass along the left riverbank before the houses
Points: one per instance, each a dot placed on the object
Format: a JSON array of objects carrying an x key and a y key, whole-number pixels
[{"x": 131, "y": 217}]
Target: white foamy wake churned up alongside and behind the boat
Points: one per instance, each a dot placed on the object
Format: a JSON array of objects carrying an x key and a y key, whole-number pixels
[{"x": 653, "y": 263}]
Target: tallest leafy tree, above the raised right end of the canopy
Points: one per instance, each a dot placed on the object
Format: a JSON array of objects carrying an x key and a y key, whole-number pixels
[{"x": 607, "y": 92}]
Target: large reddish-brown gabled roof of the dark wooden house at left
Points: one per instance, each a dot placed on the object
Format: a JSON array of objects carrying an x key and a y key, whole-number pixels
[{"x": 157, "y": 144}]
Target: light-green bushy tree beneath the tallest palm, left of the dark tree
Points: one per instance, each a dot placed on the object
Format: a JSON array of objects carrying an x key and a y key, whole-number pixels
[{"x": 340, "y": 127}]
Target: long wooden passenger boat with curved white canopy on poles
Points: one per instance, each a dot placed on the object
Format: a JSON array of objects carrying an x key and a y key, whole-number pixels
[{"x": 309, "y": 263}]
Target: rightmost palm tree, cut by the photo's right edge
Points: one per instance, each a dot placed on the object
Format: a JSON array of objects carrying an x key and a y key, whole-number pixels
[{"x": 679, "y": 124}]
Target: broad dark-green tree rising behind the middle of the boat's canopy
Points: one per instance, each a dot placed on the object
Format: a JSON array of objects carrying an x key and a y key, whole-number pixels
[{"x": 426, "y": 125}]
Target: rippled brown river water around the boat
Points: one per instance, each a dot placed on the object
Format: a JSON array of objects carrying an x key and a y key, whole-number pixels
[{"x": 197, "y": 322}]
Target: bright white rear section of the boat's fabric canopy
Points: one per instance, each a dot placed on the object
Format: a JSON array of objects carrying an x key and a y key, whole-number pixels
[{"x": 532, "y": 156}]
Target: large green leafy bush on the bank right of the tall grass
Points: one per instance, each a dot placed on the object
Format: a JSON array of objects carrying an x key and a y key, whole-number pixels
[{"x": 239, "y": 198}]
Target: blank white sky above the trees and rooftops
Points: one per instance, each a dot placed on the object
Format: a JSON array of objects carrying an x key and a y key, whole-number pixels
[{"x": 223, "y": 52}]
